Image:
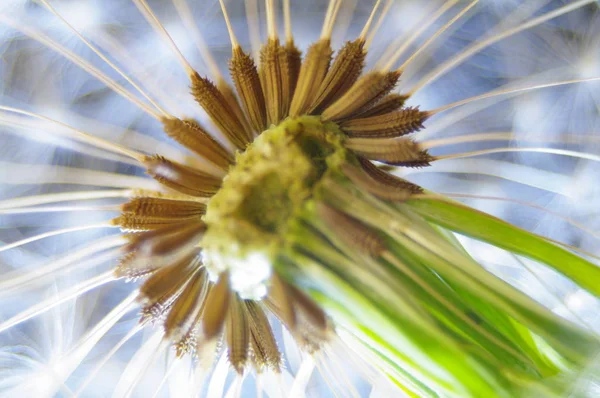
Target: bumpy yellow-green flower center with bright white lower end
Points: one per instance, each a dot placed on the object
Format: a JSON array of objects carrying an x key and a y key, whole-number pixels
[{"x": 263, "y": 192}]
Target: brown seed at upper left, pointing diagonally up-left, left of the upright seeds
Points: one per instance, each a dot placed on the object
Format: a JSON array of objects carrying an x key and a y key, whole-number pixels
[{"x": 220, "y": 111}]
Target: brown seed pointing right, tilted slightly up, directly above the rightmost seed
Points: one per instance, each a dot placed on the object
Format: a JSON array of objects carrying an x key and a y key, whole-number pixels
[{"x": 389, "y": 125}]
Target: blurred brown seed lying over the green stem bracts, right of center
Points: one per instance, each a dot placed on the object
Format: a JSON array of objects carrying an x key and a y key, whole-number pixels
[{"x": 351, "y": 231}]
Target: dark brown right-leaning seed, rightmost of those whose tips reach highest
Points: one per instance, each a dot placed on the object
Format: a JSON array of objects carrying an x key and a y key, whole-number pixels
[{"x": 344, "y": 72}]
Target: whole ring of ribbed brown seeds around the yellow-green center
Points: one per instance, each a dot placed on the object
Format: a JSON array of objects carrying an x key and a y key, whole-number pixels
[{"x": 165, "y": 230}]
